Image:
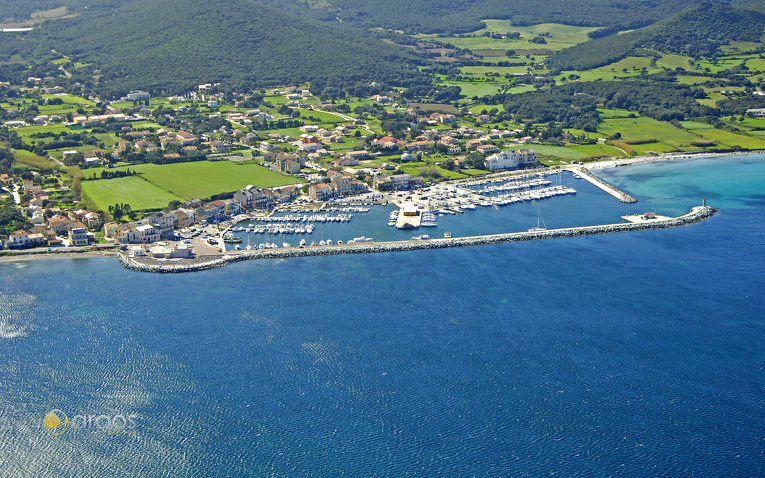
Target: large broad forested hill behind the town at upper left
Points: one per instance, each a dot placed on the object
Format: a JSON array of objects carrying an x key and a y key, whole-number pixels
[{"x": 172, "y": 45}]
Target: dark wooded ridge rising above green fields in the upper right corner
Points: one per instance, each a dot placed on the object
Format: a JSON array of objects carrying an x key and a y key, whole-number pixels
[{"x": 698, "y": 32}]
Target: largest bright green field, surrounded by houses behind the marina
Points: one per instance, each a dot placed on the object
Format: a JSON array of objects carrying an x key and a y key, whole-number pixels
[{"x": 156, "y": 185}]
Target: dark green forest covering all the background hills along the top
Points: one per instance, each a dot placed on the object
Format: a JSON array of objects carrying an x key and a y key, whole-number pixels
[{"x": 168, "y": 47}]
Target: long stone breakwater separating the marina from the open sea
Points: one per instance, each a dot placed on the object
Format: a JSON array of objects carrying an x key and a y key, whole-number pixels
[{"x": 697, "y": 214}]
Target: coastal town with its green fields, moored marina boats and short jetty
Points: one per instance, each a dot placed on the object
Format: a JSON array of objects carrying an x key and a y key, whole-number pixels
[{"x": 102, "y": 175}]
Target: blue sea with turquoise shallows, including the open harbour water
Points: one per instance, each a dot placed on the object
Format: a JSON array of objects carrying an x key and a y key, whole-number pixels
[{"x": 635, "y": 354}]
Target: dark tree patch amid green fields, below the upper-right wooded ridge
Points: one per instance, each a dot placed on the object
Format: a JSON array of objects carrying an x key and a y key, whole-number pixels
[{"x": 574, "y": 105}]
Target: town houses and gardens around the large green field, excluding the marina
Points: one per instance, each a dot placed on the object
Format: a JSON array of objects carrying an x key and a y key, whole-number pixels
[{"x": 99, "y": 142}]
